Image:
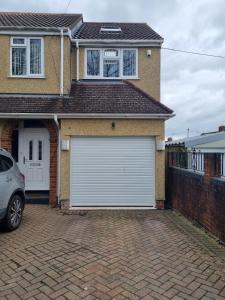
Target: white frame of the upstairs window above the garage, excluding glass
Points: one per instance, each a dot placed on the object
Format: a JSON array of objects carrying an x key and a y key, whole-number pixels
[{"x": 103, "y": 57}]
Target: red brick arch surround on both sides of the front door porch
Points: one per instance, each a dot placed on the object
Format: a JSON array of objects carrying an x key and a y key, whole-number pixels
[{"x": 6, "y": 143}]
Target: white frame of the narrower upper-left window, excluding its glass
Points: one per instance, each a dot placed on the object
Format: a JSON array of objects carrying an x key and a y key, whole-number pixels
[{"x": 26, "y": 45}]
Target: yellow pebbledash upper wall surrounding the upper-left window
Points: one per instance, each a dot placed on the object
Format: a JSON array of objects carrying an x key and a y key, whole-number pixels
[{"x": 50, "y": 83}]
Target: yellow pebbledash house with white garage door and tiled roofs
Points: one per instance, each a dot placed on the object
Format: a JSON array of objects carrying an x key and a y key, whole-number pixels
[{"x": 80, "y": 108}]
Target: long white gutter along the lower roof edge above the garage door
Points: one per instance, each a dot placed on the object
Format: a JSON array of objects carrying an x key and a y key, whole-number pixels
[{"x": 86, "y": 116}]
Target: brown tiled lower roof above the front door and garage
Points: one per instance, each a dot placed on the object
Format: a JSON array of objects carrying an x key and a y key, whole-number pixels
[{"x": 88, "y": 97}]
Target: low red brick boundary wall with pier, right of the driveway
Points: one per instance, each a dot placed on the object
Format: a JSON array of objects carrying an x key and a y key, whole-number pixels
[{"x": 200, "y": 198}]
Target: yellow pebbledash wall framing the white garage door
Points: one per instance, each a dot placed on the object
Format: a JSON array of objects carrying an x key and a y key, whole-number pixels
[{"x": 102, "y": 127}]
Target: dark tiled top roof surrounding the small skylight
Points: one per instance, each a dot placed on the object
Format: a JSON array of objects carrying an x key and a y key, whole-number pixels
[{"x": 129, "y": 31}]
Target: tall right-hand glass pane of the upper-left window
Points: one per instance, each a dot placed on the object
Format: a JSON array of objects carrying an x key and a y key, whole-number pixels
[{"x": 35, "y": 56}]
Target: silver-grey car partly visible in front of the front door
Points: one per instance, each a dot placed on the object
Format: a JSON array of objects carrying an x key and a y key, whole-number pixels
[{"x": 12, "y": 194}]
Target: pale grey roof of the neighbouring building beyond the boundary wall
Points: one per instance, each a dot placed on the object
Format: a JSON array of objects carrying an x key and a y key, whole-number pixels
[{"x": 198, "y": 140}]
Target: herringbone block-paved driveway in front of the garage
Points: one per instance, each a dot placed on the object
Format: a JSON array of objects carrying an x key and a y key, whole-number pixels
[{"x": 109, "y": 255}]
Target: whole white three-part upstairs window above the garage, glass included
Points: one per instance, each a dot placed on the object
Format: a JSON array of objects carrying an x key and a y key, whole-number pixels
[{"x": 111, "y": 63}]
